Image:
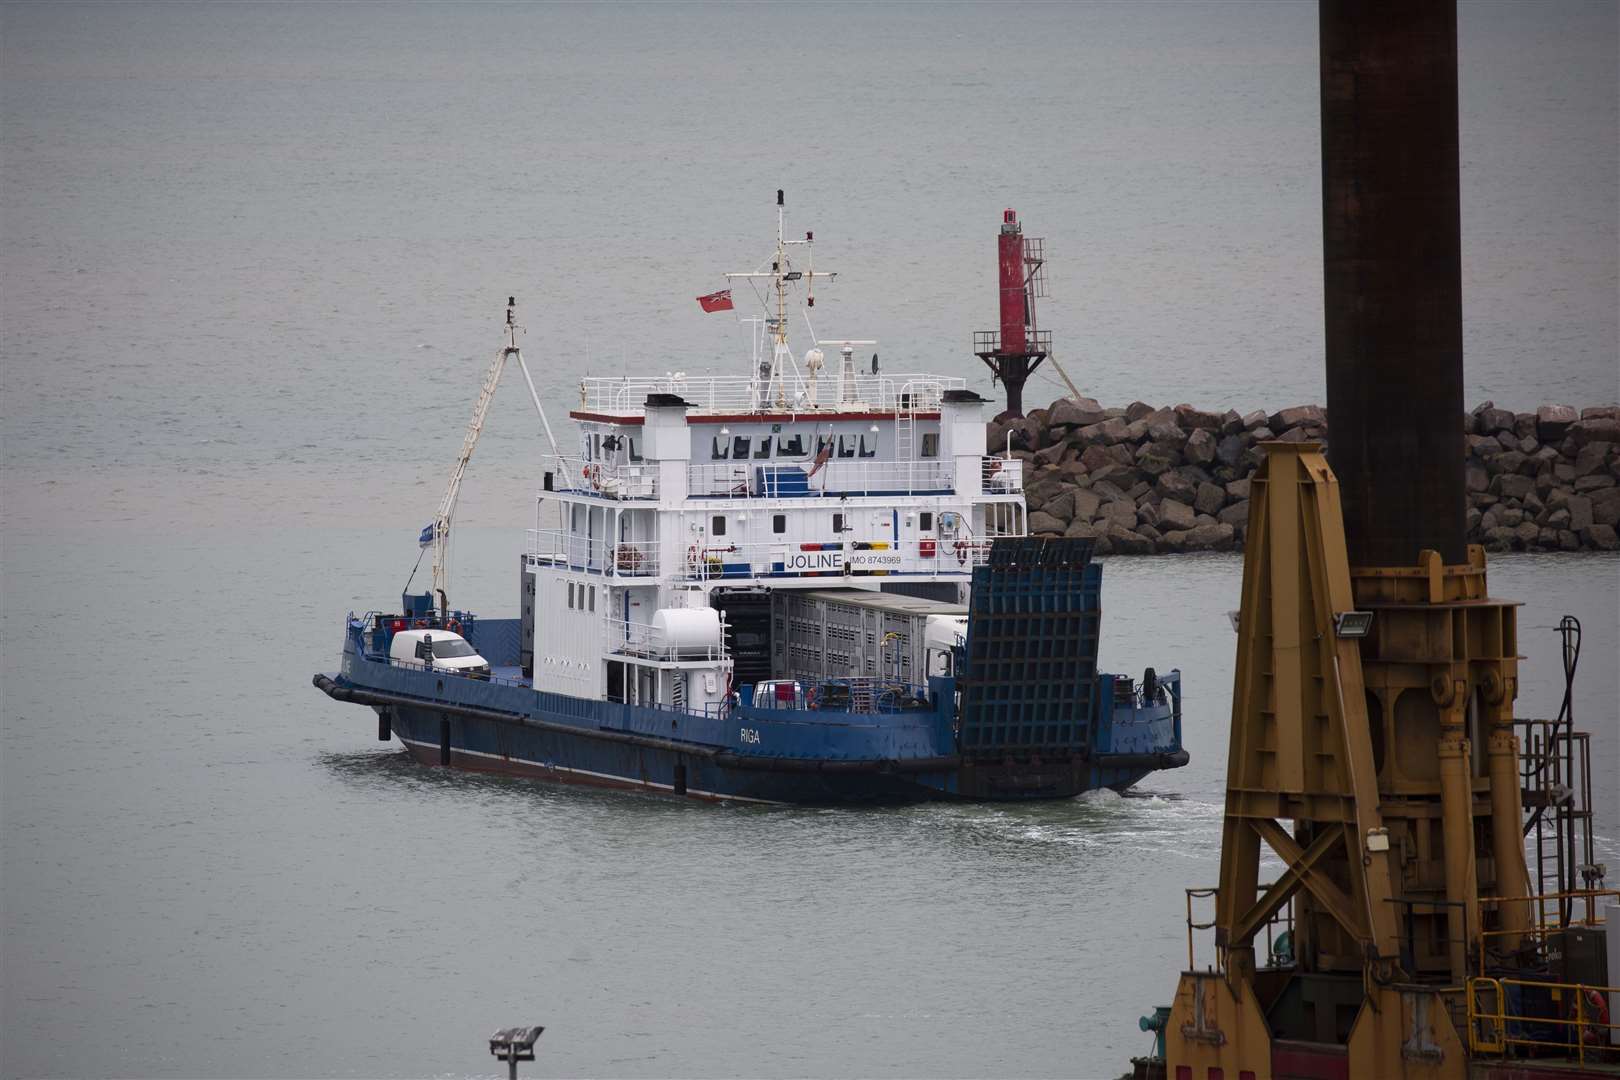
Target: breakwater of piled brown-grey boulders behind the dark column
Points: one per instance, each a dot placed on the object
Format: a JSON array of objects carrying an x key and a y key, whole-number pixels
[{"x": 1146, "y": 480}]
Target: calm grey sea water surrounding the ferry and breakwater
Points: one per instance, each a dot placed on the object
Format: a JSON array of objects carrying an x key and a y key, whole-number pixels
[{"x": 252, "y": 265}]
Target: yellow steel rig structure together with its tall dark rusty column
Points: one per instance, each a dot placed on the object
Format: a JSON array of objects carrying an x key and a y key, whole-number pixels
[{"x": 1373, "y": 736}]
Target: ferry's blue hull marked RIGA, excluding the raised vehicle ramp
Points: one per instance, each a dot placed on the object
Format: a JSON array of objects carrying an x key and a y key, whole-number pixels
[{"x": 744, "y": 754}]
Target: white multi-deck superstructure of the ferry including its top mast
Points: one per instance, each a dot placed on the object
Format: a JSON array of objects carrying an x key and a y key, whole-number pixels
[{"x": 688, "y": 496}]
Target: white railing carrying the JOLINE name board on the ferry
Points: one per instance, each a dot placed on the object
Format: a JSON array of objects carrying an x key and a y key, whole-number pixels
[{"x": 832, "y": 559}]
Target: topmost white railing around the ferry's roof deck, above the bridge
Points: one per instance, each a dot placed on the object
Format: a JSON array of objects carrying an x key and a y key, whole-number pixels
[{"x": 741, "y": 394}]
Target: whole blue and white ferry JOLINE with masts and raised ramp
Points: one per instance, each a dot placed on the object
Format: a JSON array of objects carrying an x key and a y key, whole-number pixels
[{"x": 798, "y": 585}]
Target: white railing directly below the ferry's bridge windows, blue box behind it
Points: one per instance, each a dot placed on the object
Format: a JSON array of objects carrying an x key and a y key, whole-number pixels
[{"x": 838, "y": 477}]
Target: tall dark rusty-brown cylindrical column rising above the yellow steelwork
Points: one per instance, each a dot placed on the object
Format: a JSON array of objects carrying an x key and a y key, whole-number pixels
[{"x": 1392, "y": 245}]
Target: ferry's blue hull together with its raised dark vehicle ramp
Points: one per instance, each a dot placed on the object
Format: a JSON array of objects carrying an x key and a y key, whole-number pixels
[{"x": 1030, "y": 718}]
